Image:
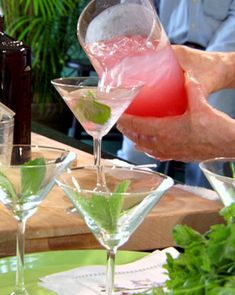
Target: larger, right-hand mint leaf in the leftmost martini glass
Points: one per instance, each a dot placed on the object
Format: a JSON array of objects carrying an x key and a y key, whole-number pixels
[{"x": 32, "y": 178}]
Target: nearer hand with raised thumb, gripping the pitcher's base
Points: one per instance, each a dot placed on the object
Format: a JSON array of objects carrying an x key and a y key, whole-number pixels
[{"x": 202, "y": 132}]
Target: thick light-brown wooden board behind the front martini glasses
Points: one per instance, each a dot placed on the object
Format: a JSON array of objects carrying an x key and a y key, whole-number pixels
[{"x": 52, "y": 228}]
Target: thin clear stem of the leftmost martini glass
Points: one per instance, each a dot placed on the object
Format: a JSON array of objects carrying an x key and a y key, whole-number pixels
[{"x": 20, "y": 288}]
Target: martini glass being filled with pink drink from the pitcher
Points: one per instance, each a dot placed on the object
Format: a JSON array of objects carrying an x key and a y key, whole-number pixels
[{"x": 97, "y": 107}]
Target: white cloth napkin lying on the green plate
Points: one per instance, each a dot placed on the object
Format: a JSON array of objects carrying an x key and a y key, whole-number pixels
[{"x": 130, "y": 278}]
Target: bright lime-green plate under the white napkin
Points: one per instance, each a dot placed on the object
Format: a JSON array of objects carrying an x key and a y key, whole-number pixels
[{"x": 45, "y": 263}]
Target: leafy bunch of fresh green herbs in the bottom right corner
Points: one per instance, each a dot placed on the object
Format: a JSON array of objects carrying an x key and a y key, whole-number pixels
[{"x": 206, "y": 265}]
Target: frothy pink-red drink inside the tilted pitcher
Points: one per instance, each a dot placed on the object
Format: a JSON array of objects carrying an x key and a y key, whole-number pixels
[{"x": 132, "y": 58}]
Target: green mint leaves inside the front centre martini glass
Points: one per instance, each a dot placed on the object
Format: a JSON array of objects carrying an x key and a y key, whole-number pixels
[{"x": 104, "y": 210}]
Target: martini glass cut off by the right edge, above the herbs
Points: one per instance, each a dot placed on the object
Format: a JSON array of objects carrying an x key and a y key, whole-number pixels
[{"x": 220, "y": 172}]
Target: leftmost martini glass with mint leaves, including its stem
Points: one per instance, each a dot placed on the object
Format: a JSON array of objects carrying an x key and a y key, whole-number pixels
[{"x": 27, "y": 174}]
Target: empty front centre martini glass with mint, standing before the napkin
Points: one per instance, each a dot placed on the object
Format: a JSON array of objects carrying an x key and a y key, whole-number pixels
[{"x": 114, "y": 215}]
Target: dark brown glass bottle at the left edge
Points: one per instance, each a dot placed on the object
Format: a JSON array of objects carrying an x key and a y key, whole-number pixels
[{"x": 16, "y": 84}]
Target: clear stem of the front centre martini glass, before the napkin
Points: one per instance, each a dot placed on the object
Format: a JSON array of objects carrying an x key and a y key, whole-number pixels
[{"x": 110, "y": 271}]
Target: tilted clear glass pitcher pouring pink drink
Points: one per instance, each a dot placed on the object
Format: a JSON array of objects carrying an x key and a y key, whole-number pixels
[{"x": 126, "y": 42}]
